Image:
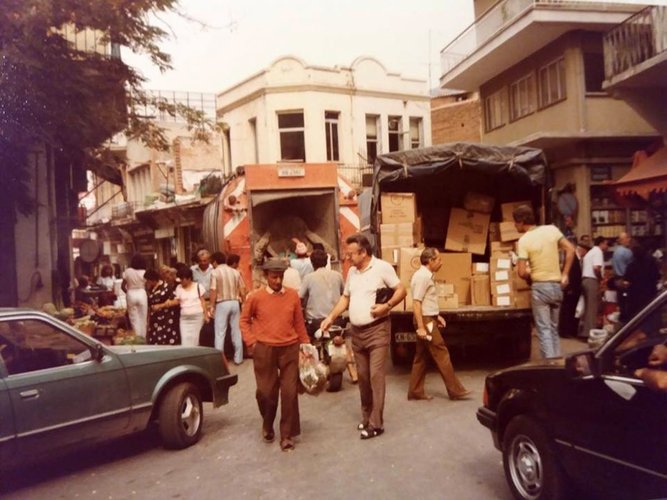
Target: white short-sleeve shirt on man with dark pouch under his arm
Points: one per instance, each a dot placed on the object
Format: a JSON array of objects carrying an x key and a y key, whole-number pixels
[{"x": 361, "y": 287}]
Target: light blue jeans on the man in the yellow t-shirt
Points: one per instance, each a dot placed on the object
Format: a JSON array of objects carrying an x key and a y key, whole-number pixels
[{"x": 546, "y": 298}]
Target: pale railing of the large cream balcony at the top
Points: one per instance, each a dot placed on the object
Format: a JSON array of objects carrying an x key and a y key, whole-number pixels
[{"x": 492, "y": 22}]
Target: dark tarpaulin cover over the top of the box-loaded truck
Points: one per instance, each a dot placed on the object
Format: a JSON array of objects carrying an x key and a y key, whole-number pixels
[{"x": 514, "y": 167}]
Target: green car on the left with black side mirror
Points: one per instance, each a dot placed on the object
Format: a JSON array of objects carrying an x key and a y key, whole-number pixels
[{"x": 61, "y": 389}]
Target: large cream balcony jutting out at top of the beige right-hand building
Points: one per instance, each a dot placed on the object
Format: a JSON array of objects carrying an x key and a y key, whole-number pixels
[{"x": 512, "y": 30}]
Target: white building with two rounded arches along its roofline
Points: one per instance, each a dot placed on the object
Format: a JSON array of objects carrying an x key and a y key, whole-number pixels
[{"x": 293, "y": 111}]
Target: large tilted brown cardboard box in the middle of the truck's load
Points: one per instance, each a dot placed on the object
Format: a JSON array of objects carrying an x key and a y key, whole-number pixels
[{"x": 467, "y": 231}]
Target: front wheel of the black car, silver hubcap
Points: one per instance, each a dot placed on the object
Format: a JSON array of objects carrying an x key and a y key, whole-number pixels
[{"x": 531, "y": 466}]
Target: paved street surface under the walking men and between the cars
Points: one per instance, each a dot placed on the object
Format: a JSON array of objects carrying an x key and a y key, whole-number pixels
[{"x": 430, "y": 449}]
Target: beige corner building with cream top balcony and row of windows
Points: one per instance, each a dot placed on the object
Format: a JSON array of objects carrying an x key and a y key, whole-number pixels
[{"x": 538, "y": 66}]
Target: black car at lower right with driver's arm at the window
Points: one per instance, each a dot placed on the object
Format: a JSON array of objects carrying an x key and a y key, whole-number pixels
[{"x": 585, "y": 422}]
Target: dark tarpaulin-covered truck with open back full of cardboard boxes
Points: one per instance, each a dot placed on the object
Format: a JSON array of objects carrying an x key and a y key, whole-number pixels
[{"x": 459, "y": 198}]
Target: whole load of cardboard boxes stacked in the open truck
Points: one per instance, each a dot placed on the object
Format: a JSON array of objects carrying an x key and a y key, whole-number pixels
[{"x": 459, "y": 281}]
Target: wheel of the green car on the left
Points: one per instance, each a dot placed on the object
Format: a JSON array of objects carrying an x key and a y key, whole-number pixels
[{"x": 181, "y": 416}]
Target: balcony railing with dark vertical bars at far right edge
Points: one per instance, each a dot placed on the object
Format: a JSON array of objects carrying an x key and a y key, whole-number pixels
[{"x": 638, "y": 39}]
